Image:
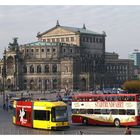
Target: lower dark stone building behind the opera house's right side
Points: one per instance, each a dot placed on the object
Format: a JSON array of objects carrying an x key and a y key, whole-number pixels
[{"x": 117, "y": 70}]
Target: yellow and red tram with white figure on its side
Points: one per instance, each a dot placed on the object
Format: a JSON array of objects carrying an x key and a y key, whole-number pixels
[{"x": 41, "y": 114}]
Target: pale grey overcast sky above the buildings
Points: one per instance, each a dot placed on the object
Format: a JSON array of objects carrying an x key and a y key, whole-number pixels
[{"x": 121, "y": 23}]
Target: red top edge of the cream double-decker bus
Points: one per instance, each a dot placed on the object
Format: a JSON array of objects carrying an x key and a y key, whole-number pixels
[{"x": 88, "y": 95}]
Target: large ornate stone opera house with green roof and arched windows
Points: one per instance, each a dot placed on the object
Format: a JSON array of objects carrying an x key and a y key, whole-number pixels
[{"x": 62, "y": 58}]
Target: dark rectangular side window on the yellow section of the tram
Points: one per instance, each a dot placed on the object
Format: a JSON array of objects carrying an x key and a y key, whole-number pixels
[{"x": 41, "y": 115}]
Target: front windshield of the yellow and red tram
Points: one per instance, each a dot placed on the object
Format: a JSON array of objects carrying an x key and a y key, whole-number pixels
[{"x": 59, "y": 114}]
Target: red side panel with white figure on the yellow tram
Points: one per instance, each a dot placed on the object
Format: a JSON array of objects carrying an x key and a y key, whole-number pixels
[{"x": 24, "y": 113}]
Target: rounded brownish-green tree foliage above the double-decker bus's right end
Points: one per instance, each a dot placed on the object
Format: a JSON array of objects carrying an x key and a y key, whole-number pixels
[{"x": 132, "y": 86}]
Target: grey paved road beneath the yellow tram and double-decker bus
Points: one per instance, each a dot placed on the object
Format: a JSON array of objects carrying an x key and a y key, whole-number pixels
[{"x": 7, "y": 128}]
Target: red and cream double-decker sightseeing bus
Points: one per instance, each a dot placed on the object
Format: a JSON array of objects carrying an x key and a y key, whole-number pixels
[{"x": 106, "y": 109}]
